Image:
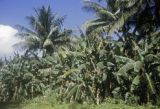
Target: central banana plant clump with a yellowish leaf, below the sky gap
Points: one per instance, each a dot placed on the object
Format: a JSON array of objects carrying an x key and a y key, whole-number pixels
[{"x": 87, "y": 69}]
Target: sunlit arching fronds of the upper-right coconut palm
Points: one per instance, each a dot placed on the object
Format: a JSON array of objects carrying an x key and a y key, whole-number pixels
[{"x": 112, "y": 16}]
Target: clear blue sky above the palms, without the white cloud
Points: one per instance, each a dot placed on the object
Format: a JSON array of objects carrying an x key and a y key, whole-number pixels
[{"x": 13, "y": 12}]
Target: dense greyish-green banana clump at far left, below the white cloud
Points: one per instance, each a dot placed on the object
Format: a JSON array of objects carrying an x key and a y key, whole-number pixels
[{"x": 20, "y": 80}]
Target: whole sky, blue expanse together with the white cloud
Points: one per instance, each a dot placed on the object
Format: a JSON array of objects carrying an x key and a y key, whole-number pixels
[{"x": 13, "y": 12}]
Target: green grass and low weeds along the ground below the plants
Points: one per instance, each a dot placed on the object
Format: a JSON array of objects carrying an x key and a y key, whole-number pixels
[{"x": 50, "y": 103}]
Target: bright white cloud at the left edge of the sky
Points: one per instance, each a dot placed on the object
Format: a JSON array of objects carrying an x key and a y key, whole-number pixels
[{"x": 7, "y": 40}]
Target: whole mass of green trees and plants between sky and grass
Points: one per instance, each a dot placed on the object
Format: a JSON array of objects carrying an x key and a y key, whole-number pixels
[{"x": 94, "y": 66}]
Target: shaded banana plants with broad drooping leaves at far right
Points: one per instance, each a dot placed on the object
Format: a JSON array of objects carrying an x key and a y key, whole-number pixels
[{"x": 140, "y": 75}]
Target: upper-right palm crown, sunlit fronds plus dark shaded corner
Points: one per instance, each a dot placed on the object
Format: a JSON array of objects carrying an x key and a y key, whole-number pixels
[{"x": 122, "y": 15}]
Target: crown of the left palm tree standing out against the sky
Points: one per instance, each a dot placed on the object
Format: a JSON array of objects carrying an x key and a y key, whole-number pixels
[{"x": 45, "y": 33}]
